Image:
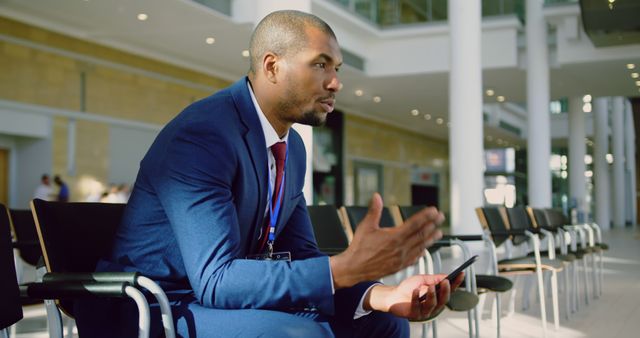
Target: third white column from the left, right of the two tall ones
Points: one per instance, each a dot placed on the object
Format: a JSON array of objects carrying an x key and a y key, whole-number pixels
[{"x": 577, "y": 151}]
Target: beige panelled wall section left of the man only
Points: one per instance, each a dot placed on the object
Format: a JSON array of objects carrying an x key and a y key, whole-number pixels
[{"x": 44, "y": 68}]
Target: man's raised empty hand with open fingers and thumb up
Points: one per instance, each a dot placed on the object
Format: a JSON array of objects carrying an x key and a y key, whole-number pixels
[{"x": 375, "y": 252}]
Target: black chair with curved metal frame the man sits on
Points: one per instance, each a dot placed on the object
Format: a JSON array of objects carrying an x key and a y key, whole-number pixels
[{"x": 73, "y": 237}]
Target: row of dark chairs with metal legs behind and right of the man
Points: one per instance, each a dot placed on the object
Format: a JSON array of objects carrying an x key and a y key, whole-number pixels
[{"x": 514, "y": 229}]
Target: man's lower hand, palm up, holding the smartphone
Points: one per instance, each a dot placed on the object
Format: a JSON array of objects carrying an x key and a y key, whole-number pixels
[{"x": 403, "y": 300}]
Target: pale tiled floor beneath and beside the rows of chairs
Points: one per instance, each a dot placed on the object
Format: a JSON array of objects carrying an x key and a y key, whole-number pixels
[{"x": 615, "y": 314}]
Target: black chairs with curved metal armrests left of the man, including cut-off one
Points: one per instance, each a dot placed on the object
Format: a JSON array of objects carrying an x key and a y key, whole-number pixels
[{"x": 71, "y": 238}]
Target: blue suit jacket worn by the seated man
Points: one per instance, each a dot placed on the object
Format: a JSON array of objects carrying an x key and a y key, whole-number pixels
[{"x": 197, "y": 207}]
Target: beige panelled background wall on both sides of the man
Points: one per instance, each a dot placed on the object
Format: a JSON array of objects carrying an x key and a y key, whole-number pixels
[{"x": 45, "y": 68}]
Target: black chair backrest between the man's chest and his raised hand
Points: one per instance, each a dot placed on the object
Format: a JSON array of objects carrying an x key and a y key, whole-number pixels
[{"x": 328, "y": 229}]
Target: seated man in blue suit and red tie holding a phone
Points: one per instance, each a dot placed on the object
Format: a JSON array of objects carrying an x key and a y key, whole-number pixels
[{"x": 212, "y": 195}]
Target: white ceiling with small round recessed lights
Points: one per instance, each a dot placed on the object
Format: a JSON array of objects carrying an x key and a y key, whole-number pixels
[{"x": 176, "y": 30}]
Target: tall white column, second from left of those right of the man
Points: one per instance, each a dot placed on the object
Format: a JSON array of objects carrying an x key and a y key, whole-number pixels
[{"x": 539, "y": 139}]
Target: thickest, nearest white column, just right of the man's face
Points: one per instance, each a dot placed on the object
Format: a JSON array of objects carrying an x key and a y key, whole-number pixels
[{"x": 465, "y": 113}]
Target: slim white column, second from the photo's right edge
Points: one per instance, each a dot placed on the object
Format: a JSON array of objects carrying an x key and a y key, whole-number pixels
[{"x": 617, "y": 132}]
